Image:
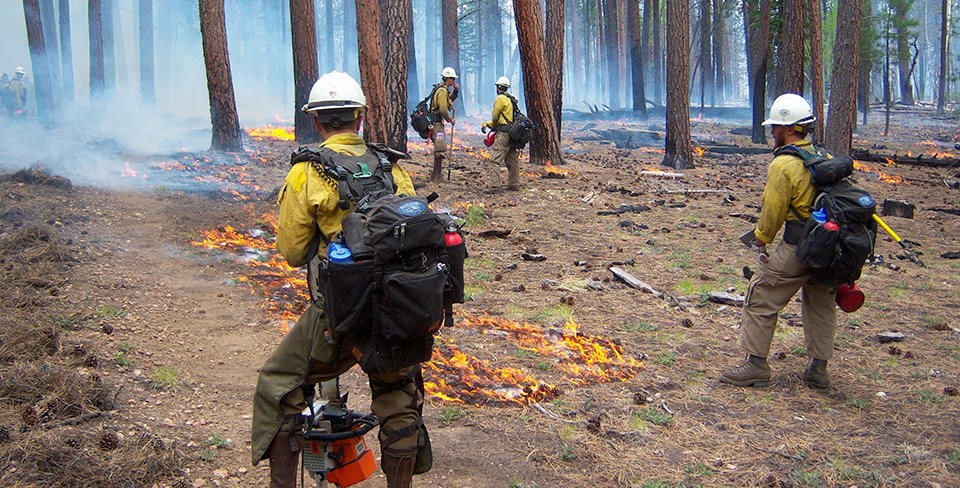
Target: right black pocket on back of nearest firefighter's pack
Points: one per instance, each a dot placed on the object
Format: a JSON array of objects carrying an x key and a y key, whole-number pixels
[{"x": 412, "y": 304}]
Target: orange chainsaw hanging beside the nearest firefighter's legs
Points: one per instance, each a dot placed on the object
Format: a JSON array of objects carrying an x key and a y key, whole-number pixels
[{"x": 334, "y": 448}]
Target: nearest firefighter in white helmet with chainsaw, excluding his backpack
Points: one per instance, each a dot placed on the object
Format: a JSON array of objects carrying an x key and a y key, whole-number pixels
[{"x": 313, "y": 351}]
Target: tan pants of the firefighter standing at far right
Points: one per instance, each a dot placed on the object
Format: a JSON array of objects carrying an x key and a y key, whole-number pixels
[{"x": 771, "y": 288}]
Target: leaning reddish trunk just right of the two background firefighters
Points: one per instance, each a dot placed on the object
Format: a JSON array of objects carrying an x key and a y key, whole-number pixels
[{"x": 545, "y": 143}]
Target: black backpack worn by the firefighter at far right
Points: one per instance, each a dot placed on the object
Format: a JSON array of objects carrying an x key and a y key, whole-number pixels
[{"x": 836, "y": 256}]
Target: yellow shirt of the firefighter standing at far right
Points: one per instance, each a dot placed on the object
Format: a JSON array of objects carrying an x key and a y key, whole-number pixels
[{"x": 788, "y": 184}]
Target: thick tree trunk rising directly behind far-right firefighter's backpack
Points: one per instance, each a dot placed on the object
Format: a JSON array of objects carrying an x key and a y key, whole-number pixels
[{"x": 839, "y": 135}]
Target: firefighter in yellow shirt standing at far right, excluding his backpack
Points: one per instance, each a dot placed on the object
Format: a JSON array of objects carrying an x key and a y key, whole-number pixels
[{"x": 789, "y": 191}]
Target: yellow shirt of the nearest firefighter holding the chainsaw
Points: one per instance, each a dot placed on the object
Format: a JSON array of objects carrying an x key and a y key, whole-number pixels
[{"x": 308, "y": 201}]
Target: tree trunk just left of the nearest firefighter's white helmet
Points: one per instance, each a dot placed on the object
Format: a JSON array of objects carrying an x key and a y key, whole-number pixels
[{"x": 305, "y": 68}]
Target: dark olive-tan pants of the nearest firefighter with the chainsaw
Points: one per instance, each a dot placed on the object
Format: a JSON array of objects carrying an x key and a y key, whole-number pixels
[{"x": 313, "y": 352}]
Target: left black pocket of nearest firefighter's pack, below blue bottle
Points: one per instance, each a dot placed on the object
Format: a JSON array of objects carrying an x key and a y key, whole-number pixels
[{"x": 348, "y": 294}]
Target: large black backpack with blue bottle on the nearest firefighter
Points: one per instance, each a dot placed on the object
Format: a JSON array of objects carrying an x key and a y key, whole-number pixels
[{"x": 406, "y": 271}]
